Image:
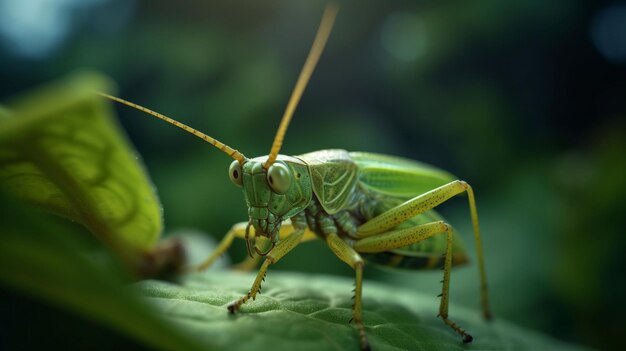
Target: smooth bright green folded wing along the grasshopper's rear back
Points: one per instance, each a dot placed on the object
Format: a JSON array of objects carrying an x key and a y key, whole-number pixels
[{"x": 397, "y": 177}]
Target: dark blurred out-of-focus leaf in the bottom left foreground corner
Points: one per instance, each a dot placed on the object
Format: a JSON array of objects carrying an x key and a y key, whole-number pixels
[{"x": 42, "y": 258}]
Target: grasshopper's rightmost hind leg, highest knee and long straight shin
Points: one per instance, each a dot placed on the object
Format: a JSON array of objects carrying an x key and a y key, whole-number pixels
[{"x": 422, "y": 203}]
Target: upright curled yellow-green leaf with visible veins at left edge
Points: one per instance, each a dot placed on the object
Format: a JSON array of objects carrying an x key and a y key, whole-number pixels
[{"x": 61, "y": 150}]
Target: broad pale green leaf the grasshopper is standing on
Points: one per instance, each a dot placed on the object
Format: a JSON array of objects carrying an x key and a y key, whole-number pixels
[{"x": 311, "y": 312}]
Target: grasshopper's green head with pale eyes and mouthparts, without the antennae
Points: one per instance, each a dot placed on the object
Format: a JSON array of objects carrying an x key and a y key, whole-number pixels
[{"x": 273, "y": 194}]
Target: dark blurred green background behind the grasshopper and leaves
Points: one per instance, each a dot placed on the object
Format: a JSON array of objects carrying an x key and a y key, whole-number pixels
[{"x": 524, "y": 100}]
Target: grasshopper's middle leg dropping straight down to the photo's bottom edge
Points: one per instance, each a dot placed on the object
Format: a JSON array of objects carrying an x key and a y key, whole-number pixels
[{"x": 354, "y": 260}]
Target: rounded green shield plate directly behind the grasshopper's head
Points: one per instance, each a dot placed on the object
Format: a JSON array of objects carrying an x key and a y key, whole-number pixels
[{"x": 334, "y": 177}]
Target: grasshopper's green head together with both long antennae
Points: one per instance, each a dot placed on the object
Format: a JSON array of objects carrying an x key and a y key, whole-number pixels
[{"x": 276, "y": 187}]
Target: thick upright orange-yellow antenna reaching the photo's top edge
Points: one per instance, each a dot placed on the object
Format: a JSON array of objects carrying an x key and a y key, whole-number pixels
[{"x": 328, "y": 19}]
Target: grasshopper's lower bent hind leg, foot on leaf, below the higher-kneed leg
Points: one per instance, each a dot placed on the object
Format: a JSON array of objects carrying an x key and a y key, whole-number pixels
[{"x": 403, "y": 237}]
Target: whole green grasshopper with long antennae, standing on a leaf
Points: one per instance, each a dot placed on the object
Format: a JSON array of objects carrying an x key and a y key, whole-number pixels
[{"x": 363, "y": 205}]
